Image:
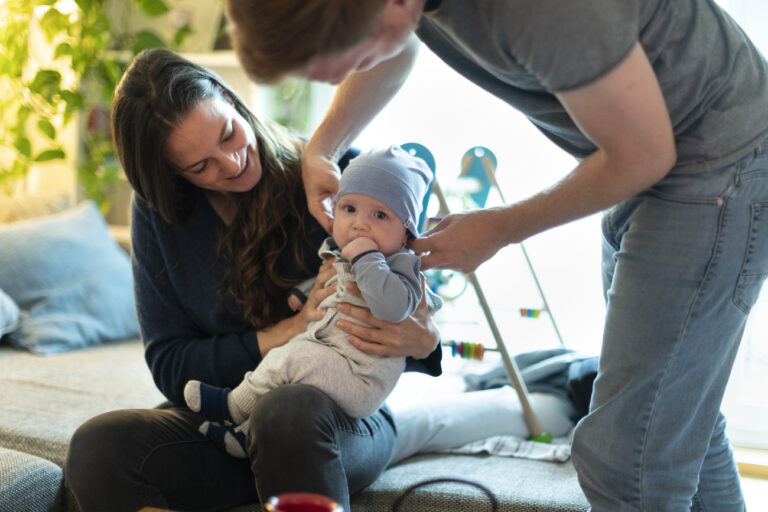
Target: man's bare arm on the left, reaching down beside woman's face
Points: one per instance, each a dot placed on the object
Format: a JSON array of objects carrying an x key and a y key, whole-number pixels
[{"x": 358, "y": 100}]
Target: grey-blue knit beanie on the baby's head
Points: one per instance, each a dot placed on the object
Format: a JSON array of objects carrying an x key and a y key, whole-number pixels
[{"x": 392, "y": 176}]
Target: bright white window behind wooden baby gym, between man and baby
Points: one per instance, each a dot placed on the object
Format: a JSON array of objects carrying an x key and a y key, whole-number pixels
[{"x": 440, "y": 109}]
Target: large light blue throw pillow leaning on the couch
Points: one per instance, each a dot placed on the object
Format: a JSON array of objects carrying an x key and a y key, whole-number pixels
[{"x": 70, "y": 279}]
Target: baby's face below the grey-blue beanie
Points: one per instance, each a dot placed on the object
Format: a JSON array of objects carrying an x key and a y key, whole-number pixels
[{"x": 357, "y": 215}]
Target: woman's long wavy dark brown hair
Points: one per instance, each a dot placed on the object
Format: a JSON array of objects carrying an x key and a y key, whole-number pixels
[{"x": 263, "y": 249}]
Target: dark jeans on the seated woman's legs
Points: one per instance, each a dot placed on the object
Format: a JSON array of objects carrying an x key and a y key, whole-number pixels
[{"x": 300, "y": 440}]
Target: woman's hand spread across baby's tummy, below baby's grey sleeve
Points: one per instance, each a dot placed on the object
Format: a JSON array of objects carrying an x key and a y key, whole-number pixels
[{"x": 416, "y": 336}]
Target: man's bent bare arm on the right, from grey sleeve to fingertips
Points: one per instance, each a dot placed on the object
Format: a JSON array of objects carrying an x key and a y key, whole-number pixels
[{"x": 625, "y": 115}]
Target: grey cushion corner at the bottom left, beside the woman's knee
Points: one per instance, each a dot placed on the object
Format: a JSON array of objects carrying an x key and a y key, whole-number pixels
[{"x": 28, "y": 483}]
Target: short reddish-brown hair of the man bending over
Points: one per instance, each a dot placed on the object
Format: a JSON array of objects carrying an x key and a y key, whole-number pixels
[{"x": 273, "y": 38}]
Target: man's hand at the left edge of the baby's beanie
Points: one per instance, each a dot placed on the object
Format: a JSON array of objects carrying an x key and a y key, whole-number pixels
[{"x": 321, "y": 183}]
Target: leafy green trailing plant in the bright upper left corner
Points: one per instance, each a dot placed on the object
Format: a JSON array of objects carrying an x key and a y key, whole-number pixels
[{"x": 60, "y": 61}]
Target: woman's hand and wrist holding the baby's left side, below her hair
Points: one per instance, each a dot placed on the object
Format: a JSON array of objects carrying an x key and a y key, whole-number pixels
[{"x": 280, "y": 333}]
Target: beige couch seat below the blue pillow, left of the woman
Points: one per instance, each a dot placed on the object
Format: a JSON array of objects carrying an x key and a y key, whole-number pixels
[{"x": 46, "y": 398}]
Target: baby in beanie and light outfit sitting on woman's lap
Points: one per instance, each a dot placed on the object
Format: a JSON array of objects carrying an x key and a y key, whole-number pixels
[{"x": 377, "y": 209}]
